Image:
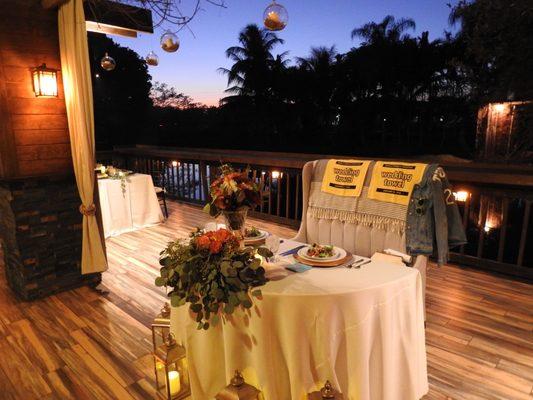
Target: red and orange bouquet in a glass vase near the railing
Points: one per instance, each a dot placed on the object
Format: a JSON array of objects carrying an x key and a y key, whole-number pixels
[{"x": 232, "y": 195}]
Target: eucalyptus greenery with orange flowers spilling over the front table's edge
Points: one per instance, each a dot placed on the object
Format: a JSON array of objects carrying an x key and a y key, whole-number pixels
[{"x": 211, "y": 273}]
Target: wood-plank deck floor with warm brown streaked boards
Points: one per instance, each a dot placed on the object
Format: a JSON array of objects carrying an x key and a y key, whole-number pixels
[{"x": 95, "y": 344}]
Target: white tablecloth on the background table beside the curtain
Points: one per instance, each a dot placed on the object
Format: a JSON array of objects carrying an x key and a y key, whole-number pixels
[{"x": 137, "y": 208}]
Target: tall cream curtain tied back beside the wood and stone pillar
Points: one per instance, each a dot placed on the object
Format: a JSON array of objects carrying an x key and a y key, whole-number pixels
[{"x": 79, "y": 101}]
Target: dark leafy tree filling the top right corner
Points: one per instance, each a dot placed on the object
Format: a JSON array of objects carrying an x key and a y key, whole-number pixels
[{"x": 497, "y": 36}]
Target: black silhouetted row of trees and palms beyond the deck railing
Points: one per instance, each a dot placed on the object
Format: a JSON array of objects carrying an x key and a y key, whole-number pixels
[{"x": 392, "y": 94}]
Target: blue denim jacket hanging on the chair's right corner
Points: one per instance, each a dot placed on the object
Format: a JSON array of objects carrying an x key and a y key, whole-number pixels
[{"x": 433, "y": 219}]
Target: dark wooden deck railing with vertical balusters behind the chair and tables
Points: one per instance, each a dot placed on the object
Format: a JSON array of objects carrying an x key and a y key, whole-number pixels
[{"x": 495, "y": 200}]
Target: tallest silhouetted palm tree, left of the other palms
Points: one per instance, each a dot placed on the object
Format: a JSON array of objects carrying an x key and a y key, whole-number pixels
[{"x": 250, "y": 75}]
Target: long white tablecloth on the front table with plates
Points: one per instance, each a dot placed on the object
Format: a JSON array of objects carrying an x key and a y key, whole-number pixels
[{"x": 363, "y": 329}]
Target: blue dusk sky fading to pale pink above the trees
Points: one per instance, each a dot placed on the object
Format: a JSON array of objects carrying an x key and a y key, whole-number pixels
[{"x": 193, "y": 68}]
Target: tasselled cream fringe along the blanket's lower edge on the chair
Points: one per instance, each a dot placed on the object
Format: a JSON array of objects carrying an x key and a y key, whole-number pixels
[{"x": 368, "y": 220}]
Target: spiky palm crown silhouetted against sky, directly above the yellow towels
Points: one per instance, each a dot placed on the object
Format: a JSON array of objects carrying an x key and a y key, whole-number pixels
[{"x": 388, "y": 30}]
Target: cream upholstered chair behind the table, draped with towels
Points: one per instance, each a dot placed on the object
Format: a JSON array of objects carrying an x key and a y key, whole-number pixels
[{"x": 361, "y": 240}]
